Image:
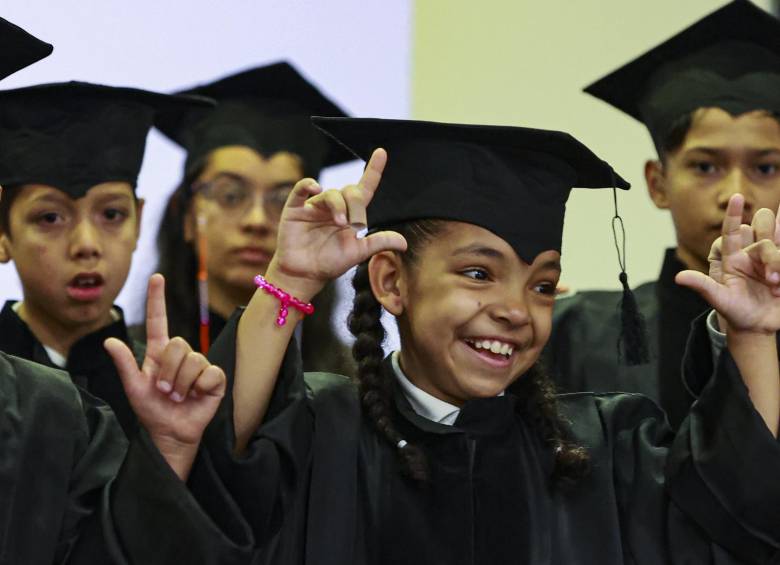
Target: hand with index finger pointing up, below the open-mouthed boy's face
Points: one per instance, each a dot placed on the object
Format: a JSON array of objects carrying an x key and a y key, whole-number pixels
[{"x": 176, "y": 391}]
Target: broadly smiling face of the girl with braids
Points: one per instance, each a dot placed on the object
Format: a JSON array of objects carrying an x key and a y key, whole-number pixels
[{"x": 468, "y": 295}]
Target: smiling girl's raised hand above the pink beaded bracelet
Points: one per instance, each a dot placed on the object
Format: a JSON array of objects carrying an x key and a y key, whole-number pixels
[{"x": 318, "y": 231}]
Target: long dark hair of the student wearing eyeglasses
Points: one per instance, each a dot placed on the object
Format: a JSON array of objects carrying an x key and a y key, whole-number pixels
[{"x": 178, "y": 263}]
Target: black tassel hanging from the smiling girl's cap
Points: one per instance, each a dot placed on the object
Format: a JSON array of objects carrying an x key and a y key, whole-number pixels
[{"x": 632, "y": 341}]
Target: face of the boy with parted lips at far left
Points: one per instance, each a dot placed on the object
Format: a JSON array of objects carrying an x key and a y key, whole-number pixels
[{"x": 72, "y": 256}]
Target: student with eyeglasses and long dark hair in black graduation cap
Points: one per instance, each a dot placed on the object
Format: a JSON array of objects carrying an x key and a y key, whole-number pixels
[{"x": 219, "y": 228}]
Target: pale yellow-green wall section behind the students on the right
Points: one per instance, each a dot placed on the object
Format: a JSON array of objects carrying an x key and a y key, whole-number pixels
[{"x": 524, "y": 63}]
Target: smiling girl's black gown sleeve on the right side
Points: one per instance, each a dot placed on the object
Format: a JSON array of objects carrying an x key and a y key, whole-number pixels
[{"x": 710, "y": 493}]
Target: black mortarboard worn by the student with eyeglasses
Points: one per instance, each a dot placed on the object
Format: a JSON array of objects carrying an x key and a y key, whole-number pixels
[{"x": 266, "y": 108}]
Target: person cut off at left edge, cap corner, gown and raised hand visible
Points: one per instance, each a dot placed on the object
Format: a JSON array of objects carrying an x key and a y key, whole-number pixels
[{"x": 70, "y": 489}]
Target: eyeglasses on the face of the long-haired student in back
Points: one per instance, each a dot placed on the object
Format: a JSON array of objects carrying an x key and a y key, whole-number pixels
[{"x": 235, "y": 196}]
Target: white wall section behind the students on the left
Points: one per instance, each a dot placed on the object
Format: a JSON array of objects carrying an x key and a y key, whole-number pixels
[{"x": 358, "y": 51}]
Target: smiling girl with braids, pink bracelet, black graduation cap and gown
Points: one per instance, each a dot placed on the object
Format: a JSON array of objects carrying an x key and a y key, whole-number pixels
[{"x": 455, "y": 449}]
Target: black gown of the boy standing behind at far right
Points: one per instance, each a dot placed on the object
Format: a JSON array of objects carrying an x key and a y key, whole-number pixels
[{"x": 582, "y": 353}]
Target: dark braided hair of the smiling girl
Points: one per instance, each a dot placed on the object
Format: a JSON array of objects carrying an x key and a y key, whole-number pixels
[{"x": 537, "y": 397}]
